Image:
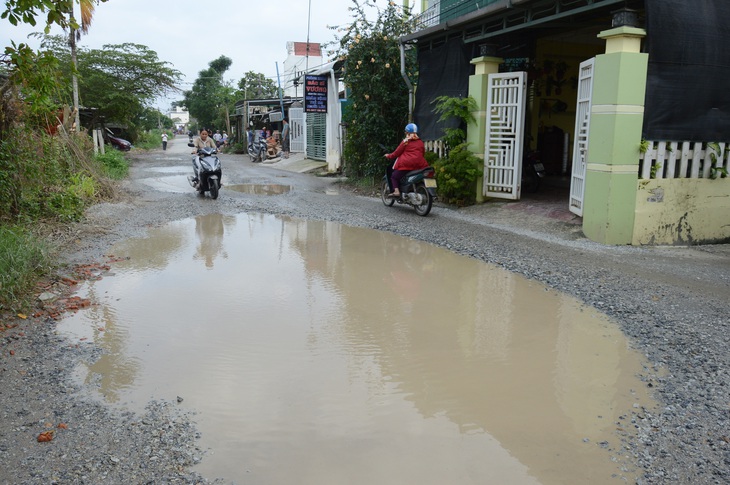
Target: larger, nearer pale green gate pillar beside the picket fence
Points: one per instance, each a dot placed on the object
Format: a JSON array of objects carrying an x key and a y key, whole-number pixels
[{"x": 617, "y": 113}]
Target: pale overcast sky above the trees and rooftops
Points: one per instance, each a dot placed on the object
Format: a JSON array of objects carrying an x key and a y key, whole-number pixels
[{"x": 189, "y": 34}]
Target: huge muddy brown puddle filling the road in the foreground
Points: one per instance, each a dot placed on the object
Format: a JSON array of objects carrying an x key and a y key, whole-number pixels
[{"x": 317, "y": 353}]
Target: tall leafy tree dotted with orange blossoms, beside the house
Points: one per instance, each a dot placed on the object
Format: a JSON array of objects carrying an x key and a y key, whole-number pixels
[{"x": 378, "y": 94}]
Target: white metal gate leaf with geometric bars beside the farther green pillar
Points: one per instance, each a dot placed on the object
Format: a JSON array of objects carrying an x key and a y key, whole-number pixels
[{"x": 504, "y": 139}]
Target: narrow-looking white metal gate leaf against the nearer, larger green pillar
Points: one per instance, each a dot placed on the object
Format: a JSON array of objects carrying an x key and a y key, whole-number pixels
[{"x": 580, "y": 145}]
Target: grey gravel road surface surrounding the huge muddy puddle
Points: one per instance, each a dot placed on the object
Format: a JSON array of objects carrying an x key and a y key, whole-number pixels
[{"x": 672, "y": 303}]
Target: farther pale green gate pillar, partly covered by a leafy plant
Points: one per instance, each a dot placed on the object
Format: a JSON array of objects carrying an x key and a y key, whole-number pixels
[{"x": 478, "y": 85}]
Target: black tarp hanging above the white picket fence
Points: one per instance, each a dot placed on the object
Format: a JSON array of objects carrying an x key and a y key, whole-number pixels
[{"x": 687, "y": 95}]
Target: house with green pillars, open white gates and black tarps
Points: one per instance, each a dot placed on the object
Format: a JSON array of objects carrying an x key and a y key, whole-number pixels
[{"x": 623, "y": 98}]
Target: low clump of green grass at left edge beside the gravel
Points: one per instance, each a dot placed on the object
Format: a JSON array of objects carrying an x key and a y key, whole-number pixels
[{"x": 24, "y": 260}]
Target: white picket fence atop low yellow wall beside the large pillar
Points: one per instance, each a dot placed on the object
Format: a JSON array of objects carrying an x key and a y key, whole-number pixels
[{"x": 667, "y": 160}]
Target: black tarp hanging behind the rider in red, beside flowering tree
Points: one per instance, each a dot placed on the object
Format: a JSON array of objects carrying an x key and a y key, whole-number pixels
[{"x": 442, "y": 71}]
